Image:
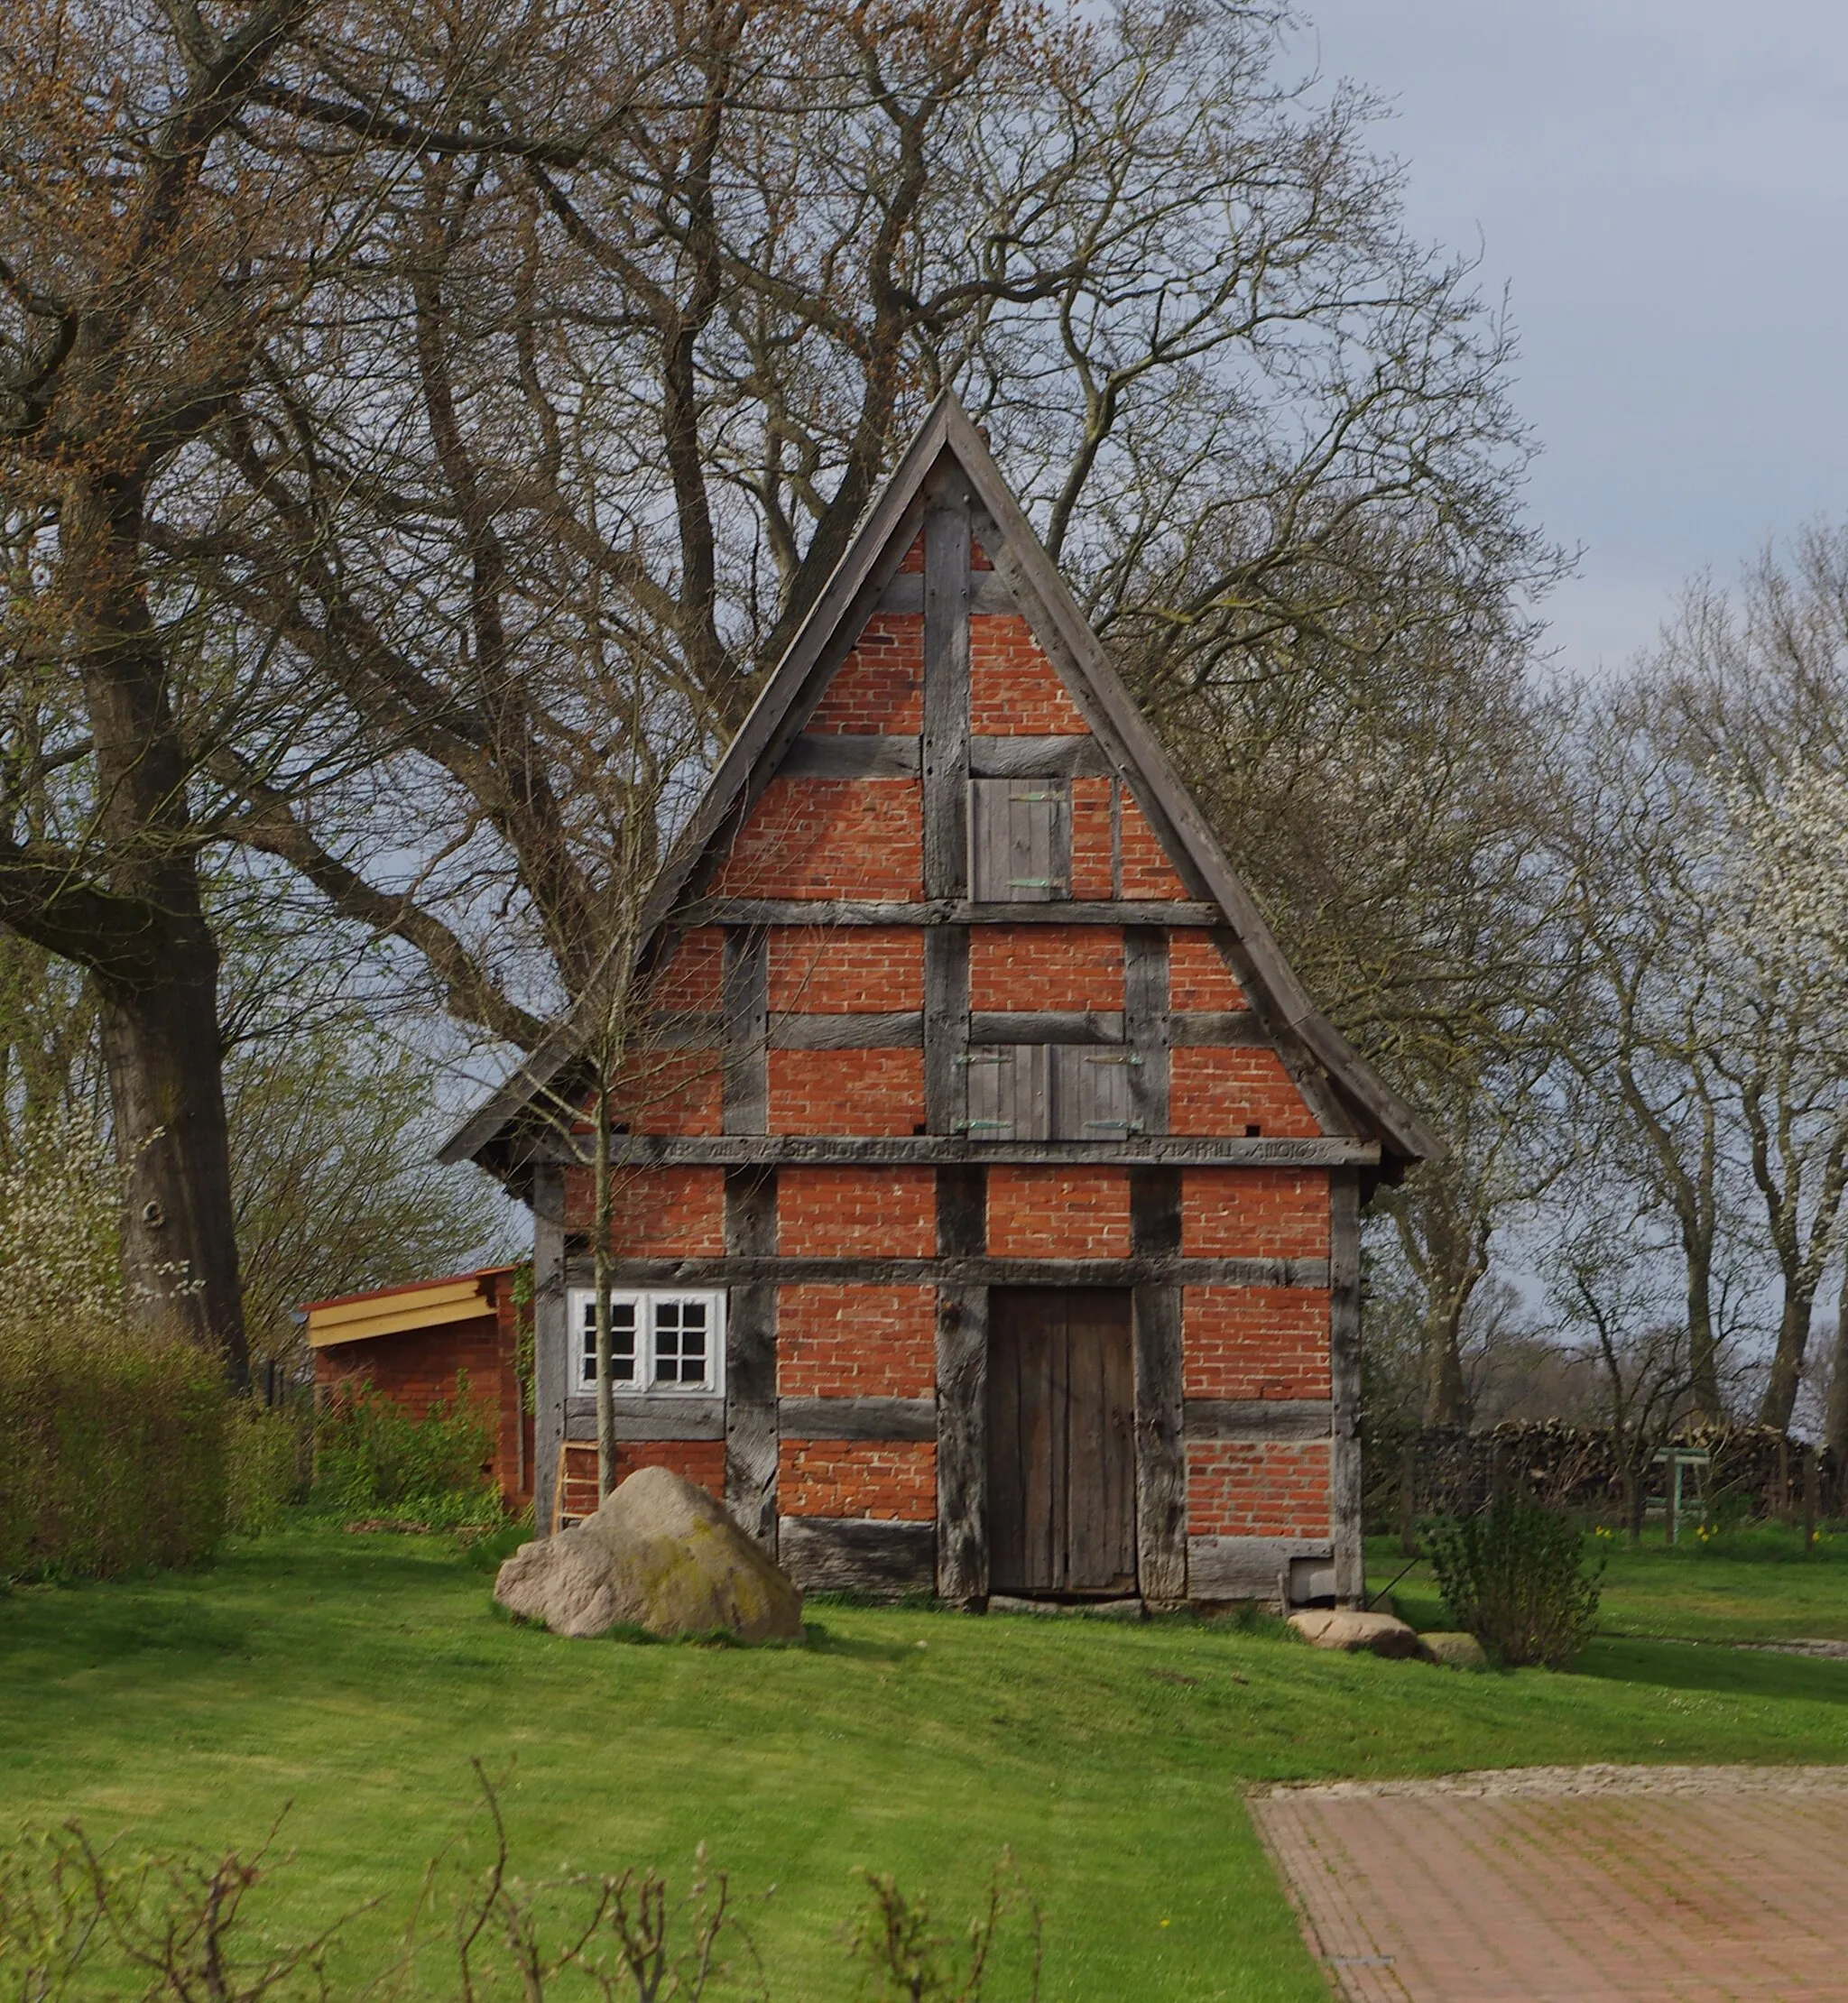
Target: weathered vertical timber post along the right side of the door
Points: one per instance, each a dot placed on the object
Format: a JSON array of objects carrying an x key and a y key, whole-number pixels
[{"x": 1160, "y": 1409}]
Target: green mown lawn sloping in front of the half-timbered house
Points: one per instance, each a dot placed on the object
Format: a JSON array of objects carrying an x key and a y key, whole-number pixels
[{"x": 357, "y": 1676}]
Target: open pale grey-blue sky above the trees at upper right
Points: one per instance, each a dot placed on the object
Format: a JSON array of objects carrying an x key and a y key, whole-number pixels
[{"x": 1663, "y": 189}]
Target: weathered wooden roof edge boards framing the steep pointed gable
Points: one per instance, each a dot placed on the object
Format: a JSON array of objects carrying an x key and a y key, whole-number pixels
[{"x": 796, "y": 686}]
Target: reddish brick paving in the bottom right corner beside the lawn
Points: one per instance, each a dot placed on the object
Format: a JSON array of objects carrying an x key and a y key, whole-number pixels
[{"x": 1575, "y": 1884}]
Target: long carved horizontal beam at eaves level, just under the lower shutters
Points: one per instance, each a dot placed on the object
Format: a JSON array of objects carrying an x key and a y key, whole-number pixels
[{"x": 928, "y": 1151}]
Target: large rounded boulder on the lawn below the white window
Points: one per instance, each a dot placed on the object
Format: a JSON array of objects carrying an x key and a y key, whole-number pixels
[{"x": 658, "y": 1555}]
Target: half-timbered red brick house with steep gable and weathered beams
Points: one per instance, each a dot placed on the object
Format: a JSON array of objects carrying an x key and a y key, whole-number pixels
[{"x": 998, "y": 1229}]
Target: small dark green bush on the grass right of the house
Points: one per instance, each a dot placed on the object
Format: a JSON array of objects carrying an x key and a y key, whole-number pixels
[{"x": 1517, "y": 1579}]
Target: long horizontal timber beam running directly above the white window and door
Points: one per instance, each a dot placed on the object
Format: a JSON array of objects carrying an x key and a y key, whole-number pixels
[{"x": 1162, "y": 1269}]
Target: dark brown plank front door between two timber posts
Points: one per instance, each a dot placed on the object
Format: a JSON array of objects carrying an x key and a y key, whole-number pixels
[{"x": 1062, "y": 1443}]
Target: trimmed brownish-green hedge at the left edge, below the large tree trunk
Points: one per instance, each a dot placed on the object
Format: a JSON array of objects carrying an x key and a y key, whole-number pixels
[{"x": 111, "y": 1451}]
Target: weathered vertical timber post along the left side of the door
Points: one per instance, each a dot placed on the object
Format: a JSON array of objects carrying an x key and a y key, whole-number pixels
[{"x": 962, "y": 1395}]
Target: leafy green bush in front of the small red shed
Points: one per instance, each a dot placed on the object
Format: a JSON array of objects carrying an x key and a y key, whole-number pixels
[{"x": 371, "y": 1455}]
